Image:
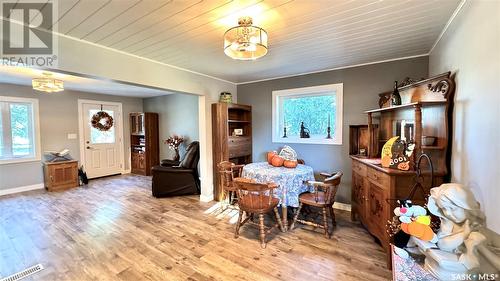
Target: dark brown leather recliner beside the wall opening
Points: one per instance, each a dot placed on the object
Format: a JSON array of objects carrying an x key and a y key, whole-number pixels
[{"x": 175, "y": 178}]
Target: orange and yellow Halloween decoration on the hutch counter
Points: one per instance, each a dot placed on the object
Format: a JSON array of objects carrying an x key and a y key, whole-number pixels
[{"x": 396, "y": 154}]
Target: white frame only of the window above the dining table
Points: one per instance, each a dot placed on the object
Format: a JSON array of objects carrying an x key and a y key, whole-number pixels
[{"x": 309, "y": 91}]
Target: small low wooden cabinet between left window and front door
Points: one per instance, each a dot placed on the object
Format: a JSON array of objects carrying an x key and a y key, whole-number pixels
[{"x": 60, "y": 175}]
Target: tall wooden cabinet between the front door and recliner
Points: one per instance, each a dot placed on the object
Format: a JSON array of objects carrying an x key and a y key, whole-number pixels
[{"x": 144, "y": 142}]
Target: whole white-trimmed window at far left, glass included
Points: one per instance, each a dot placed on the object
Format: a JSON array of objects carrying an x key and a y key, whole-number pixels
[{"x": 19, "y": 136}]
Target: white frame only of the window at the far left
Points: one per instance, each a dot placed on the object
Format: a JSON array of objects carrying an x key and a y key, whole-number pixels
[{"x": 36, "y": 131}]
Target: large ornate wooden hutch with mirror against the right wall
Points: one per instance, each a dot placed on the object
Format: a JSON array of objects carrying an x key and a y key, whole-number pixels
[{"x": 426, "y": 107}]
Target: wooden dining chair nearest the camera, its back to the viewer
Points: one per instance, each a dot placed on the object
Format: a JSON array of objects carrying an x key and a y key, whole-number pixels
[{"x": 256, "y": 199}]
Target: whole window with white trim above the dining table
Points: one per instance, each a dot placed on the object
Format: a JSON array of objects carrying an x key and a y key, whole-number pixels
[{"x": 315, "y": 108}]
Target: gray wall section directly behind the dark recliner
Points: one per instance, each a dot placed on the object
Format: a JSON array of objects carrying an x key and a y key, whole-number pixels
[{"x": 178, "y": 114}]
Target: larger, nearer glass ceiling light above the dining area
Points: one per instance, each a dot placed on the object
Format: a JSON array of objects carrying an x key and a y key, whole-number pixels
[{"x": 245, "y": 41}]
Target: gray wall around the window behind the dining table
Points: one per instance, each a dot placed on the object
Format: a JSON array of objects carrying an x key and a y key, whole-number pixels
[{"x": 361, "y": 88}]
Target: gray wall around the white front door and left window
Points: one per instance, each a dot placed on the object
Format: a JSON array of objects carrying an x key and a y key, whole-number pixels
[{"x": 58, "y": 117}]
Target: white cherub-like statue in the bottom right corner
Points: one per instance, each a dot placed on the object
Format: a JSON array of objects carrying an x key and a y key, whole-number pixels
[{"x": 455, "y": 252}]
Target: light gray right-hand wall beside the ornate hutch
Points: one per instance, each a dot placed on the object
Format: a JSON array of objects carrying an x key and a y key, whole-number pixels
[{"x": 470, "y": 49}]
